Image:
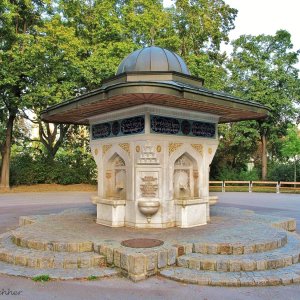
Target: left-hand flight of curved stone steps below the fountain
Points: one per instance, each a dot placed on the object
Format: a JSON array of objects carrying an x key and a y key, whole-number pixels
[{"x": 60, "y": 260}]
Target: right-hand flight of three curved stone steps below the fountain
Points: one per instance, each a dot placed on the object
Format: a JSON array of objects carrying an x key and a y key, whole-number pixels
[{"x": 269, "y": 263}]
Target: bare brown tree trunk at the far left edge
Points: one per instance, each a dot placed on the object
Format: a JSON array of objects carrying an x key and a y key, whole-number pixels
[{"x": 5, "y": 153}]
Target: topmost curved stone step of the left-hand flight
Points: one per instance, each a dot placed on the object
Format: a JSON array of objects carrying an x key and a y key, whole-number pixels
[{"x": 31, "y": 242}]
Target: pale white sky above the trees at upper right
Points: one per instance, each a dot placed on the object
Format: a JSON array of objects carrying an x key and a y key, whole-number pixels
[{"x": 265, "y": 17}]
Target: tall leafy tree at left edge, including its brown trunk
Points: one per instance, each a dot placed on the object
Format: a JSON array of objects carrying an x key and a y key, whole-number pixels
[{"x": 17, "y": 21}]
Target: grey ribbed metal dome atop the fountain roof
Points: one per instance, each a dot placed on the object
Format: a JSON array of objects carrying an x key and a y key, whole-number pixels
[{"x": 152, "y": 59}]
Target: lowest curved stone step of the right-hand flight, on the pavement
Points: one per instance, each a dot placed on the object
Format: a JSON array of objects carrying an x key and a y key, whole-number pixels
[{"x": 284, "y": 276}]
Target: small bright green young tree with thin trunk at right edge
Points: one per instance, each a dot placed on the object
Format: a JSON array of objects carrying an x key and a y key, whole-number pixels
[{"x": 291, "y": 146}]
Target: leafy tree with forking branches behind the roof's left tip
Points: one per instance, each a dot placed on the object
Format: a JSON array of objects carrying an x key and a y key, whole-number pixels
[{"x": 58, "y": 75}]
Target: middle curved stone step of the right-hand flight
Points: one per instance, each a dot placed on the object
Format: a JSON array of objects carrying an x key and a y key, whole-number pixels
[{"x": 278, "y": 258}]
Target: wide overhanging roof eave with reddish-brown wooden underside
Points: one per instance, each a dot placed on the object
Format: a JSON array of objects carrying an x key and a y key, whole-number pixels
[{"x": 79, "y": 110}]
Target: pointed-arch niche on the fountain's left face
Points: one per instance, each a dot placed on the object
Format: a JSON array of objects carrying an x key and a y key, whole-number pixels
[{"x": 115, "y": 178}]
